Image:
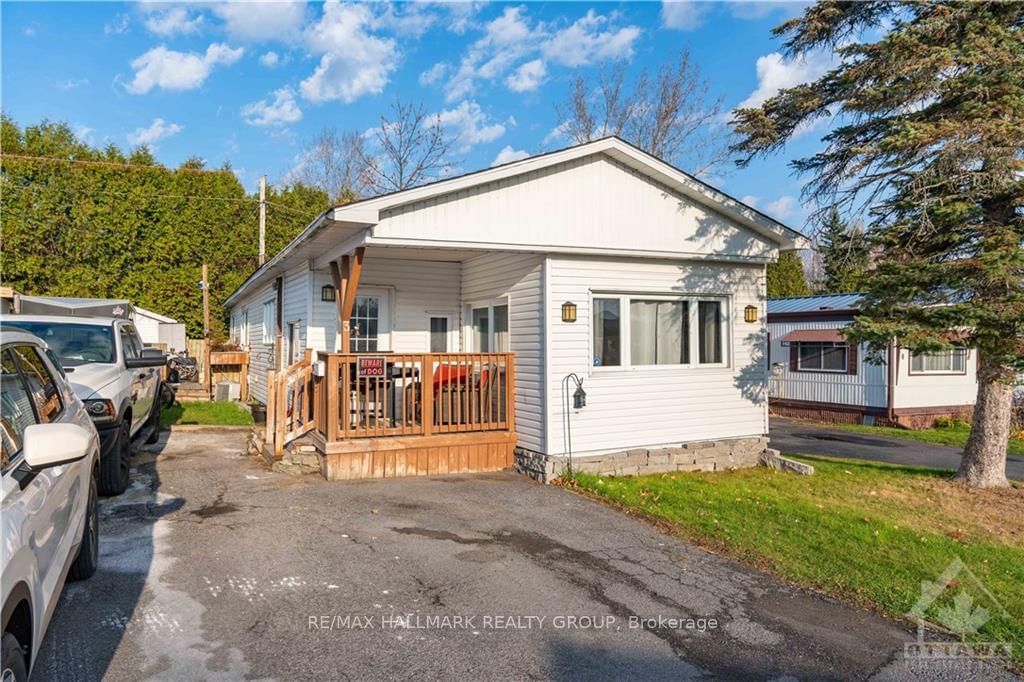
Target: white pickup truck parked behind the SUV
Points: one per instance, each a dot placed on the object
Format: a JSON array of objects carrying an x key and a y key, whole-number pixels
[{"x": 116, "y": 378}]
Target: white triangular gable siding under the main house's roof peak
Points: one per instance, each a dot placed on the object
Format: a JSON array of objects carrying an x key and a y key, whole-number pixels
[{"x": 589, "y": 203}]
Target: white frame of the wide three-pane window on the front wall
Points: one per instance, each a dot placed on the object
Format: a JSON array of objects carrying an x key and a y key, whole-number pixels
[{"x": 693, "y": 301}]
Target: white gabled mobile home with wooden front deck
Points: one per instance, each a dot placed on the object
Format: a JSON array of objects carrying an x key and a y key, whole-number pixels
[{"x": 455, "y": 324}]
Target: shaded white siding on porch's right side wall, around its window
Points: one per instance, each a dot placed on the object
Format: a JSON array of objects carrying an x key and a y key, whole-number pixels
[{"x": 520, "y": 278}]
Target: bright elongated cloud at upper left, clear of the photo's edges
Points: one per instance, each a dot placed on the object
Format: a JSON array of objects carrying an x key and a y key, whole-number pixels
[{"x": 161, "y": 68}]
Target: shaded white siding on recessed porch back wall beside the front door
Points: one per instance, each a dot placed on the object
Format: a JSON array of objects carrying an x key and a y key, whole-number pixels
[{"x": 414, "y": 290}]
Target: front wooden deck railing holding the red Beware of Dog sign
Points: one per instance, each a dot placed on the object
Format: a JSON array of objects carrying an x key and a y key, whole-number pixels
[{"x": 372, "y": 396}]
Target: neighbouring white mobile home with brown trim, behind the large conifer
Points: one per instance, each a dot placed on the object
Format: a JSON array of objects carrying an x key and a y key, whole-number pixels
[{"x": 816, "y": 374}]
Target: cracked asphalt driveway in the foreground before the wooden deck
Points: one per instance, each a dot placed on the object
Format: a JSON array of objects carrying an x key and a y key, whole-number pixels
[{"x": 214, "y": 568}]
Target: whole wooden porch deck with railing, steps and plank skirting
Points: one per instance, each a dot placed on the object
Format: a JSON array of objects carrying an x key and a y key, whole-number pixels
[{"x": 391, "y": 415}]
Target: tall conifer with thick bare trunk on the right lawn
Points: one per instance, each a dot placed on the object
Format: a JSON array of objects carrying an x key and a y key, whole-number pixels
[{"x": 928, "y": 101}]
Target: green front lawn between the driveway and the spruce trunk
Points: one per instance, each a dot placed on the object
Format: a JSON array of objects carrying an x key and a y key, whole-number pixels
[{"x": 865, "y": 532}]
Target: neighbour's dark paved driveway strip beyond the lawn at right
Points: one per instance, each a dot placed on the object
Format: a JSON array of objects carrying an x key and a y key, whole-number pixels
[{"x": 796, "y": 437}]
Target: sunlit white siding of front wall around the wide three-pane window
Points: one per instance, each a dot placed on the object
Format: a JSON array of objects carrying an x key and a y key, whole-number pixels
[{"x": 645, "y": 407}]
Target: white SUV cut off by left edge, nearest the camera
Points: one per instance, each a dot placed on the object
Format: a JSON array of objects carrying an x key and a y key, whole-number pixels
[{"x": 49, "y": 508}]
